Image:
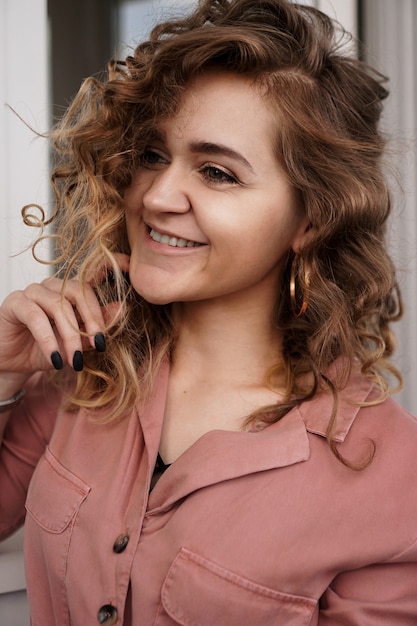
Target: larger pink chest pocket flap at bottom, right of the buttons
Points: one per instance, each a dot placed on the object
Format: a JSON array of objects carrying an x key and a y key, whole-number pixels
[{"x": 197, "y": 592}]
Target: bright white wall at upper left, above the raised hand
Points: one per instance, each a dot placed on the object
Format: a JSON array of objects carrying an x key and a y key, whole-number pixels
[{"x": 23, "y": 160}]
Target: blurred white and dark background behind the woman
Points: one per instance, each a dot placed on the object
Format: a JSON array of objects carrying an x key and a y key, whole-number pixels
[{"x": 47, "y": 47}]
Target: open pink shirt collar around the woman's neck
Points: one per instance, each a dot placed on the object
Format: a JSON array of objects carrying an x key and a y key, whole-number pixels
[{"x": 224, "y": 455}]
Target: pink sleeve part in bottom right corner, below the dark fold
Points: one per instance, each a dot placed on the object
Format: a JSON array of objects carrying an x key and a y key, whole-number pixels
[{"x": 379, "y": 595}]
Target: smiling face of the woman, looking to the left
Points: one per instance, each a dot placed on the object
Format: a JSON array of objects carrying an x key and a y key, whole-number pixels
[{"x": 210, "y": 213}]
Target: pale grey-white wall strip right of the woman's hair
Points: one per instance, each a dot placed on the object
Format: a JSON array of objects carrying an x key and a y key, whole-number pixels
[{"x": 391, "y": 36}]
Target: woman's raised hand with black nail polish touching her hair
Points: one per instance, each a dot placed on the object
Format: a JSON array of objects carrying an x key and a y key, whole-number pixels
[{"x": 48, "y": 325}]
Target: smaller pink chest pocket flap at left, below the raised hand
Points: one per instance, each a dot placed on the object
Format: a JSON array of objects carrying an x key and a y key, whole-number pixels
[{"x": 55, "y": 494}]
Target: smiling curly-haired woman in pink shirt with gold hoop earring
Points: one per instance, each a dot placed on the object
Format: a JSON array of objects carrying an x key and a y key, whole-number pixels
[{"x": 220, "y": 447}]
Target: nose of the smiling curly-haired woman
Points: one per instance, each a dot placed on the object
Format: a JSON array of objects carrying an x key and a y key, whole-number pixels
[{"x": 167, "y": 191}]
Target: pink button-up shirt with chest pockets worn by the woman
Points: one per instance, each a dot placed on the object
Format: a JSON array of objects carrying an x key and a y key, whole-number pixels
[{"x": 244, "y": 529}]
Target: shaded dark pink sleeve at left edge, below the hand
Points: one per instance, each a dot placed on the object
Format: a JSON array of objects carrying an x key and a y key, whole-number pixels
[{"x": 26, "y": 435}]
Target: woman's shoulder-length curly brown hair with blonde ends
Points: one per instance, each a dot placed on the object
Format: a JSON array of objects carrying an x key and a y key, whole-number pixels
[{"x": 327, "y": 107}]
